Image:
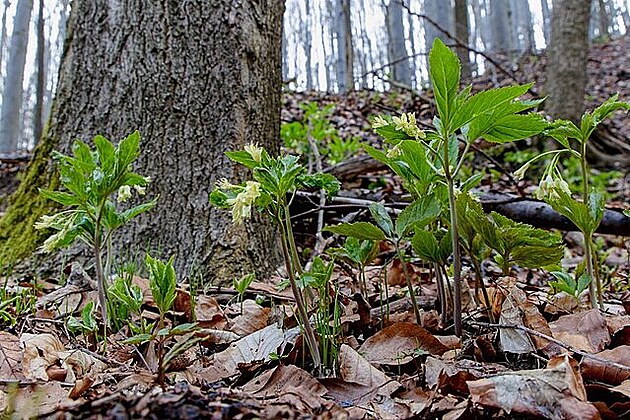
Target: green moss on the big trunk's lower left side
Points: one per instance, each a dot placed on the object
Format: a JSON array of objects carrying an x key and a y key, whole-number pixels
[{"x": 18, "y": 237}]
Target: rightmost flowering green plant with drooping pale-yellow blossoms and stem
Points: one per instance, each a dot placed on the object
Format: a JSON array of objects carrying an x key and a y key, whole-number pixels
[{"x": 587, "y": 212}]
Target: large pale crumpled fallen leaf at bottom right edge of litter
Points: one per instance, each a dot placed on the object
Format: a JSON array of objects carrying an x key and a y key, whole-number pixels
[{"x": 556, "y": 392}]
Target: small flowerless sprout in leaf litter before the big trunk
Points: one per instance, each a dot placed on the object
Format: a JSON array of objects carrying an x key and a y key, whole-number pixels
[{"x": 162, "y": 282}]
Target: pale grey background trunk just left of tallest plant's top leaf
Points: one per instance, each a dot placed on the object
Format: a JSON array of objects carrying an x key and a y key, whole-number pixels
[{"x": 396, "y": 49}]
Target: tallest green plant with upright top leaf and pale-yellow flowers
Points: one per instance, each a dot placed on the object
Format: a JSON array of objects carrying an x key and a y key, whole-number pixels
[{"x": 433, "y": 159}]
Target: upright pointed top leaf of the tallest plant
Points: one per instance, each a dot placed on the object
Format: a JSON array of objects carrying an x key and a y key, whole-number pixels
[{"x": 444, "y": 71}]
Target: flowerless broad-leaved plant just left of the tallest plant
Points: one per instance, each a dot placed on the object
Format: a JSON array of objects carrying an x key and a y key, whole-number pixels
[{"x": 418, "y": 214}]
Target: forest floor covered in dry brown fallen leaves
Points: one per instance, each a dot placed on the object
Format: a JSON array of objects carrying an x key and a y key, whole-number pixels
[{"x": 532, "y": 352}]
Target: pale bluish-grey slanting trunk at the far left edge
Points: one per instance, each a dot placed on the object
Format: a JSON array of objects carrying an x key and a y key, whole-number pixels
[{"x": 12, "y": 95}]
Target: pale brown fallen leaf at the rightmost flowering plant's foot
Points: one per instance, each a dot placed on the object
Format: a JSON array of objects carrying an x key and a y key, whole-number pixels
[{"x": 585, "y": 331}]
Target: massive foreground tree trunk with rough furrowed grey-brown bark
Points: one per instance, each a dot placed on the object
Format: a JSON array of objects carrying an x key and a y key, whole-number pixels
[{"x": 197, "y": 79}]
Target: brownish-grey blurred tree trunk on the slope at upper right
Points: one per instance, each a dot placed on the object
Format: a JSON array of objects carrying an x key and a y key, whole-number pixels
[{"x": 566, "y": 64}]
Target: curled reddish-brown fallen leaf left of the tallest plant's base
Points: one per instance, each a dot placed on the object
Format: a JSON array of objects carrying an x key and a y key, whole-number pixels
[{"x": 399, "y": 344}]
